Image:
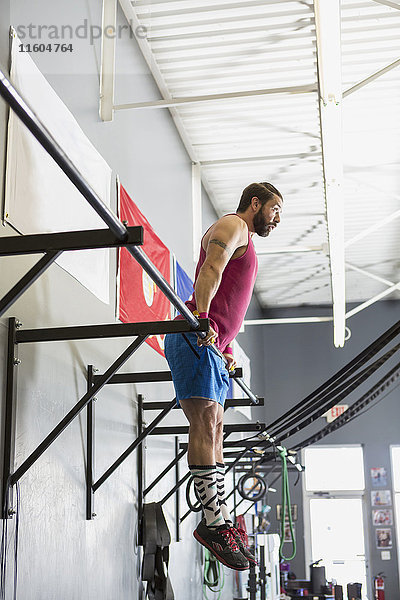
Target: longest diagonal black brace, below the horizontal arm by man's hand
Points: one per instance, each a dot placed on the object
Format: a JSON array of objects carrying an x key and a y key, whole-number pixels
[{"x": 53, "y": 435}]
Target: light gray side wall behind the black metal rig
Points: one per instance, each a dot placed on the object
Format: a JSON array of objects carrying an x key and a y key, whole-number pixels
[{"x": 62, "y": 555}]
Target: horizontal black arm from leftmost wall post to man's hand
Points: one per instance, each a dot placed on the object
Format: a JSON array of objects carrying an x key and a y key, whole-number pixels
[{"x": 85, "y": 332}]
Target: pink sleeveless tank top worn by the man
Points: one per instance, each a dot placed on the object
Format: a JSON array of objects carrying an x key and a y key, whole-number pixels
[{"x": 230, "y": 303}]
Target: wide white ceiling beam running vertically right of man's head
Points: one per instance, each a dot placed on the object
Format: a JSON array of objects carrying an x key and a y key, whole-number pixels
[{"x": 328, "y": 28}]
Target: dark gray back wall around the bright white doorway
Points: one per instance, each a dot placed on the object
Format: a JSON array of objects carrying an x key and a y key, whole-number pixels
[{"x": 298, "y": 358}]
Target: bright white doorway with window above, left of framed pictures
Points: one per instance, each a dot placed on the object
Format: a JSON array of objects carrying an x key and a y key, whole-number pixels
[{"x": 334, "y": 511}]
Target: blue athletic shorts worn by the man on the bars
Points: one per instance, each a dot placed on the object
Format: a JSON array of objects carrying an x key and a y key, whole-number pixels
[{"x": 195, "y": 377}]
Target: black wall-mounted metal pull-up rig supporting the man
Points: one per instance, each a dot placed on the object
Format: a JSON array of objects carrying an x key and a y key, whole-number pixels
[{"x": 52, "y": 245}]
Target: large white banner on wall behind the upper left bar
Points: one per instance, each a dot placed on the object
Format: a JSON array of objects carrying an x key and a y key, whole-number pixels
[{"x": 39, "y": 197}]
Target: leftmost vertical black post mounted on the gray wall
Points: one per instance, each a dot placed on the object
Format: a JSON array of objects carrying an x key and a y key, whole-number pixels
[{"x": 9, "y": 419}]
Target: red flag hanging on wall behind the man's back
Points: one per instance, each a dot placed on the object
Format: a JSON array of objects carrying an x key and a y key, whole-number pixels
[{"x": 139, "y": 297}]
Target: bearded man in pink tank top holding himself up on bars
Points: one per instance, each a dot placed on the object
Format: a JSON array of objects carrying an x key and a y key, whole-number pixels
[{"x": 224, "y": 282}]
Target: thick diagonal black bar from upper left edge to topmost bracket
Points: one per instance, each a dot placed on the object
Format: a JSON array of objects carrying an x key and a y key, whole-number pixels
[{"x": 44, "y": 137}]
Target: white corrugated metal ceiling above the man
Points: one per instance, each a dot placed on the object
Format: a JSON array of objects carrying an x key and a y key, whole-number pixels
[{"x": 248, "y": 47}]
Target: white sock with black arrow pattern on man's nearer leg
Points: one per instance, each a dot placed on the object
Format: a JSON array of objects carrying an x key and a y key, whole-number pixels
[{"x": 205, "y": 480}]
